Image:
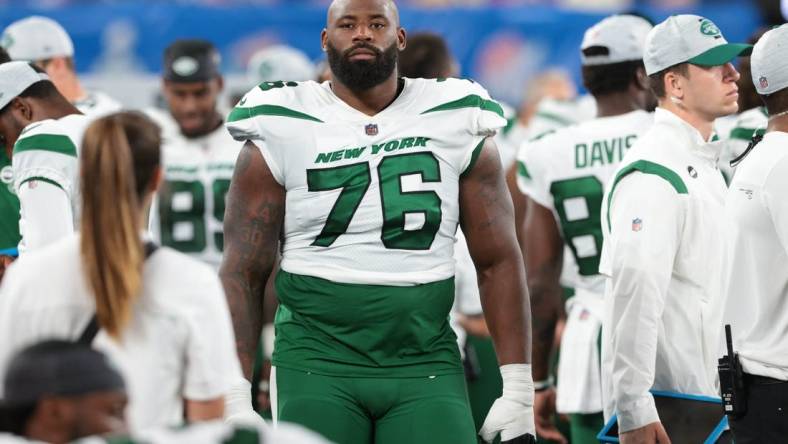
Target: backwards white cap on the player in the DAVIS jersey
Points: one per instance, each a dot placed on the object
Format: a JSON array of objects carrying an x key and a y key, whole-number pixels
[{"x": 624, "y": 37}]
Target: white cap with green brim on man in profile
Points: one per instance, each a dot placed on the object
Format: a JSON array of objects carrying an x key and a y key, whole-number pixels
[{"x": 688, "y": 38}]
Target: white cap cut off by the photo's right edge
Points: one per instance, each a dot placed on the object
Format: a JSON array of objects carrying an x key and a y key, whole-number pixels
[{"x": 769, "y": 61}]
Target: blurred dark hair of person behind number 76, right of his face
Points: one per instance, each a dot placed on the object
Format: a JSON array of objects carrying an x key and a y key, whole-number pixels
[{"x": 426, "y": 56}]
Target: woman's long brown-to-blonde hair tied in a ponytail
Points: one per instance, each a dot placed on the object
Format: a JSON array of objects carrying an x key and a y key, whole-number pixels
[{"x": 111, "y": 247}]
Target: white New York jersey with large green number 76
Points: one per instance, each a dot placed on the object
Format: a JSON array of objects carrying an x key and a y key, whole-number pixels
[{"x": 369, "y": 199}]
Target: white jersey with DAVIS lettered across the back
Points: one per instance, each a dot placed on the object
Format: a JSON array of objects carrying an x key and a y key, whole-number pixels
[{"x": 568, "y": 170}]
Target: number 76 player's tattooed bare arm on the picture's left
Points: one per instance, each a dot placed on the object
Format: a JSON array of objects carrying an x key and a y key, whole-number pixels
[{"x": 252, "y": 224}]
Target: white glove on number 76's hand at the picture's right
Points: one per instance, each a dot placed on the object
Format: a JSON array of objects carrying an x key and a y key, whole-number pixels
[{"x": 513, "y": 413}]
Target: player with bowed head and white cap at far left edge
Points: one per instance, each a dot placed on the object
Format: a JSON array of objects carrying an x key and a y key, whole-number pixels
[{"x": 45, "y": 131}]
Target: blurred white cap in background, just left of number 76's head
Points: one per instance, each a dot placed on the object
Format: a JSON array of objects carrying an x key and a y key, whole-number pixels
[{"x": 279, "y": 62}]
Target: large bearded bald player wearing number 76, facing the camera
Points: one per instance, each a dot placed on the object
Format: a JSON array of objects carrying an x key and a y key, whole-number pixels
[{"x": 366, "y": 178}]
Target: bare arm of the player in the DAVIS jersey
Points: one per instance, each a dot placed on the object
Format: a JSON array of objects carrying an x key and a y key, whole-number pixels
[{"x": 542, "y": 248}]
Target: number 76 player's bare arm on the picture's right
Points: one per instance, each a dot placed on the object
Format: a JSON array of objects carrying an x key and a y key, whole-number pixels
[{"x": 487, "y": 219}]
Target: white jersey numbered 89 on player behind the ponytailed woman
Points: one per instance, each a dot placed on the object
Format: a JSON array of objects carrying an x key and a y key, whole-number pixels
[{"x": 189, "y": 208}]
